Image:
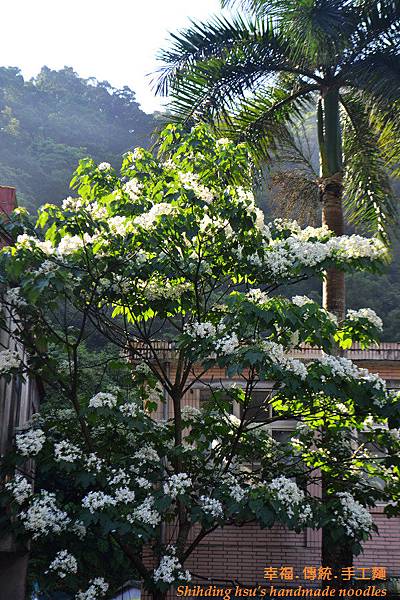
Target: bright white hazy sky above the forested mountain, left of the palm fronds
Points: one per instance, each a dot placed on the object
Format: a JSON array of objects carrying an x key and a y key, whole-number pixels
[{"x": 116, "y": 41}]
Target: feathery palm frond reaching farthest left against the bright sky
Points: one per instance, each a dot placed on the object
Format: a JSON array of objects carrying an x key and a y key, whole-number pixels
[{"x": 213, "y": 84}]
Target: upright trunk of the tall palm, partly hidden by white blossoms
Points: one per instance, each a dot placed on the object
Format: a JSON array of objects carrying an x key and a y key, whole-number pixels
[{"x": 333, "y": 296}]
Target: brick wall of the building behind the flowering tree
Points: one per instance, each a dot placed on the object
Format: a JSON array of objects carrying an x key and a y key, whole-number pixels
[{"x": 240, "y": 554}]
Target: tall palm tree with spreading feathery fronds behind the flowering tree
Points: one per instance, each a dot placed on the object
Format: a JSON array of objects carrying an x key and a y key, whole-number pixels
[{"x": 254, "y": 77}]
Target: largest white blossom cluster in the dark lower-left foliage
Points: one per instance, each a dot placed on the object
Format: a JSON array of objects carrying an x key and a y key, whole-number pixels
[{"x": 43, "y": 516}]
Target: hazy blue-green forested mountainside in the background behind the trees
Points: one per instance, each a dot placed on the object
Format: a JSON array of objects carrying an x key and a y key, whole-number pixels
[{"x": 48, "y": 123}]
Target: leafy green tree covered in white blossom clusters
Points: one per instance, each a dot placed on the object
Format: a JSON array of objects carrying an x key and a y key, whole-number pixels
[{"x": 175, "y": 249}]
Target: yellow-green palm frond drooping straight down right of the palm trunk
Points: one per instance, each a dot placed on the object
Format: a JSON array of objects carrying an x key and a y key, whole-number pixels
[{"x": 369, "y": 198}]
